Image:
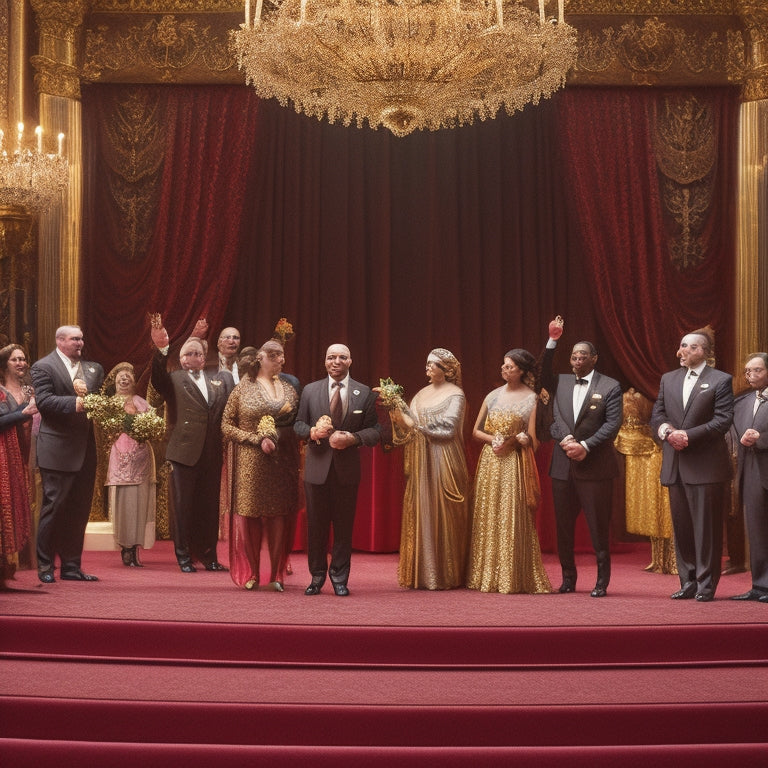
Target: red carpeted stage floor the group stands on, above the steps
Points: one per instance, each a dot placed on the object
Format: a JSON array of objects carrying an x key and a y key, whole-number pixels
[{"x": 160, "y": 592}]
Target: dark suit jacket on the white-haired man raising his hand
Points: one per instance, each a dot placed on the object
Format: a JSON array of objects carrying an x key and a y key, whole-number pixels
[{"x": 195, "y": 424}]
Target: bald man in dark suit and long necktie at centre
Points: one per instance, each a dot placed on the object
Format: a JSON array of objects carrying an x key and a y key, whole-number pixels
[{"x": 336, "y": 415}]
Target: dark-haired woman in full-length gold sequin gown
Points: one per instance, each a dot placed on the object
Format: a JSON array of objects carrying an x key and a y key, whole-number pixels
[{"x": 505, "y": 555}]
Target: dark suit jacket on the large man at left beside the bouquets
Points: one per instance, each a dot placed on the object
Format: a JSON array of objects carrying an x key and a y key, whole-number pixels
[{"x": 64, "y": 433}]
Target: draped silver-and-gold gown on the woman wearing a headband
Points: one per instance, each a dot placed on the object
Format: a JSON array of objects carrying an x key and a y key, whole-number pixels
[{"x": 435, "y": 525}]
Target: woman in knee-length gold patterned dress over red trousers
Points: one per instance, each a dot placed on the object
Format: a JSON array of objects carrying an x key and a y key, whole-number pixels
[{"x": 263, "y": 465}]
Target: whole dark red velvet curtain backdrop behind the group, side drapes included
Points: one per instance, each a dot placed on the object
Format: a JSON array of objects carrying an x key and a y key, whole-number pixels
[{"x": 469, "y": 239}]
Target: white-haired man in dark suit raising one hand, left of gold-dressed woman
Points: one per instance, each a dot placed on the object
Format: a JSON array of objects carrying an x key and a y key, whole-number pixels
[{"x": 195, "y": 401}]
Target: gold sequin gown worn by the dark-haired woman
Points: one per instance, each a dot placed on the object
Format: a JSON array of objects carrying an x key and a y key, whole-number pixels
[{"x": 505, "y": 555}]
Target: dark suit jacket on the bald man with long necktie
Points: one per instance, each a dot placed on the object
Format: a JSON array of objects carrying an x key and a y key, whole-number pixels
[{"x": 360, "y": 419}]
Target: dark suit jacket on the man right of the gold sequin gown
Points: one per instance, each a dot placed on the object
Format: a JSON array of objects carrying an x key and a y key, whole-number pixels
[{"x": 597, "y": 425}]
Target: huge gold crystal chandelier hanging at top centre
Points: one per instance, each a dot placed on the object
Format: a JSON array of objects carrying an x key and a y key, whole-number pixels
[{"x": 404, "y": 64}]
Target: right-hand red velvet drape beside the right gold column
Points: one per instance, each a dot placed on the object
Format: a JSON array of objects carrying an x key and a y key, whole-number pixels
[{"x": 645, "y": 303}]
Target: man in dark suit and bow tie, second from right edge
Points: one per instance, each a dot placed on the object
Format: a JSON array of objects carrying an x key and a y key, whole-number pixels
[{"x": 691, "y": 417}]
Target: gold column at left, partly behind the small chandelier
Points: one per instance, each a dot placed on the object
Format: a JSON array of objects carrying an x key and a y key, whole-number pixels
[{"x": 58, "y": 84}]
